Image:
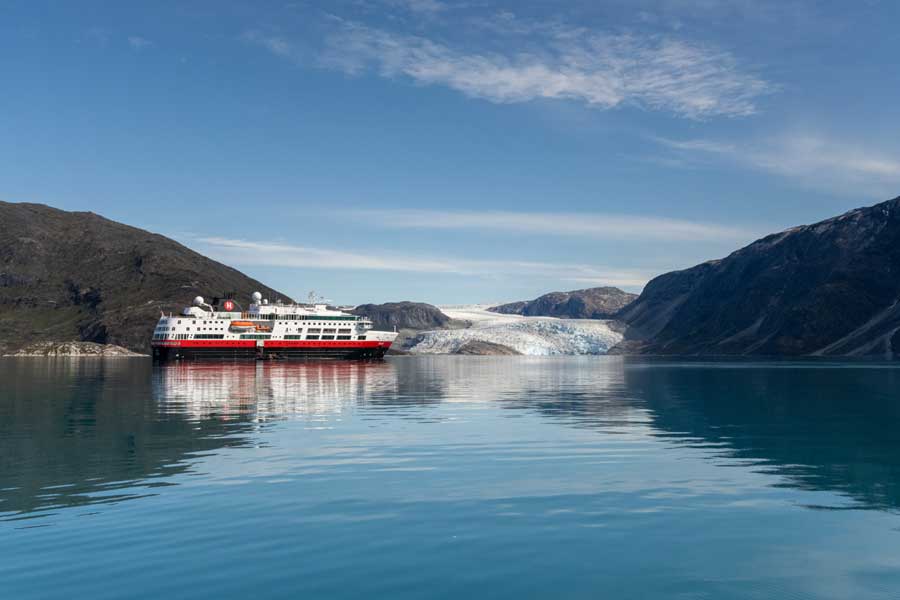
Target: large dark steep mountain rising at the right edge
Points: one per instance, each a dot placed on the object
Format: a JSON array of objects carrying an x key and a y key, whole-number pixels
[{"x": 831, "y": 288}]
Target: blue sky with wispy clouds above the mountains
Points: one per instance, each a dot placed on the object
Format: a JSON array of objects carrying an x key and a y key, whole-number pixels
[{"x": 452, "y": 152}]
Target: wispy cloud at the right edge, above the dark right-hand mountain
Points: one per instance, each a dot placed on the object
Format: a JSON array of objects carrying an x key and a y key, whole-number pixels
[{"x": 813, "y": 159}]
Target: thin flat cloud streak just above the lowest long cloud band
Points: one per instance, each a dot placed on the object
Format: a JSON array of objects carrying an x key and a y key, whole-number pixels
[{"x": 605, "y": 226}]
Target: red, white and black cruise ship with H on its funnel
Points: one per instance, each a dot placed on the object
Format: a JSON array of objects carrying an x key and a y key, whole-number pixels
[{"x": 223, "y": 330}]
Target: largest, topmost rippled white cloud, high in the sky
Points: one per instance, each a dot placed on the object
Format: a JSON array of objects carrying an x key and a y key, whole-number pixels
[{"x": 548, "y": 61}]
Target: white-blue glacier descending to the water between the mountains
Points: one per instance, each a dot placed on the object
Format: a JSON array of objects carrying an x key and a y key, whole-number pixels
[{"x": 532, "y": 336}]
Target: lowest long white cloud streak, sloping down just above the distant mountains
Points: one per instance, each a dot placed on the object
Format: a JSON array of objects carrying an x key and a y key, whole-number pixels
[{"x": 248, "y": 252}]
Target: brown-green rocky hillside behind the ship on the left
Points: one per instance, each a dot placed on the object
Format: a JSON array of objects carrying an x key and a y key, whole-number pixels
[{"x": 75, "y": 276}]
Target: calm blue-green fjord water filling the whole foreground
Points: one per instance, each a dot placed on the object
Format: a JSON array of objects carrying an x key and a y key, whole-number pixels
[{"x": 450, "y": 477}]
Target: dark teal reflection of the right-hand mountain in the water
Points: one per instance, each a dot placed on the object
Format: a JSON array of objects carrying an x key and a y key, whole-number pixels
[{"x": 819, "y": 426}]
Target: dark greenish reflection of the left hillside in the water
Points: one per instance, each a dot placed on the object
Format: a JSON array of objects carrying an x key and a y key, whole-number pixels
[{"x": 76, "y": 432}]
